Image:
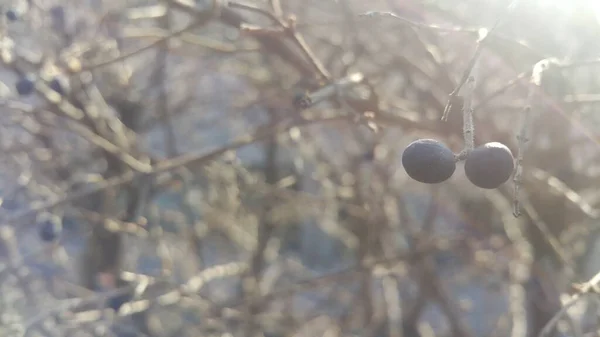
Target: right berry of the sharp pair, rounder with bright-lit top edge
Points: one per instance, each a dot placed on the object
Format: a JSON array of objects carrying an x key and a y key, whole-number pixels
[{"x": 489, "y": 165}]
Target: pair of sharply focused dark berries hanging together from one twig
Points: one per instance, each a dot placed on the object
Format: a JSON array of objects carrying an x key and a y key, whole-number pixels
[{"x": 431, "y": 162}]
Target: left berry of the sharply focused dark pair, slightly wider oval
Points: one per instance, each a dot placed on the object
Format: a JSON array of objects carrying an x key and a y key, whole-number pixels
[{"x": 428, "y": 161}]
